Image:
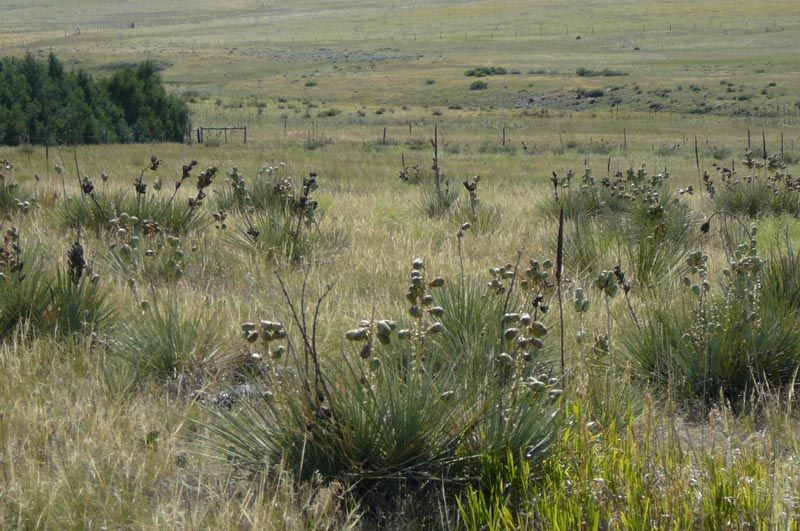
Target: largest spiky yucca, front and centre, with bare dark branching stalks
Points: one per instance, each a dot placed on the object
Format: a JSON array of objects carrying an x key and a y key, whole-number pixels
[{"x": 385, "y": 417}]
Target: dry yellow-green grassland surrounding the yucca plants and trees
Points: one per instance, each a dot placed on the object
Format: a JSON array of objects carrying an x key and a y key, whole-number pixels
[{"x": 352, "y": 90}]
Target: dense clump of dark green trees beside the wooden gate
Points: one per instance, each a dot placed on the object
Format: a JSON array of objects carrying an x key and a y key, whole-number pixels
[{"x": 42, "y": 103}]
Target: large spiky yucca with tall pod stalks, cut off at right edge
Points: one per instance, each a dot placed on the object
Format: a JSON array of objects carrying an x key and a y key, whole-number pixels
[{"x": 723, "y": 344}]
